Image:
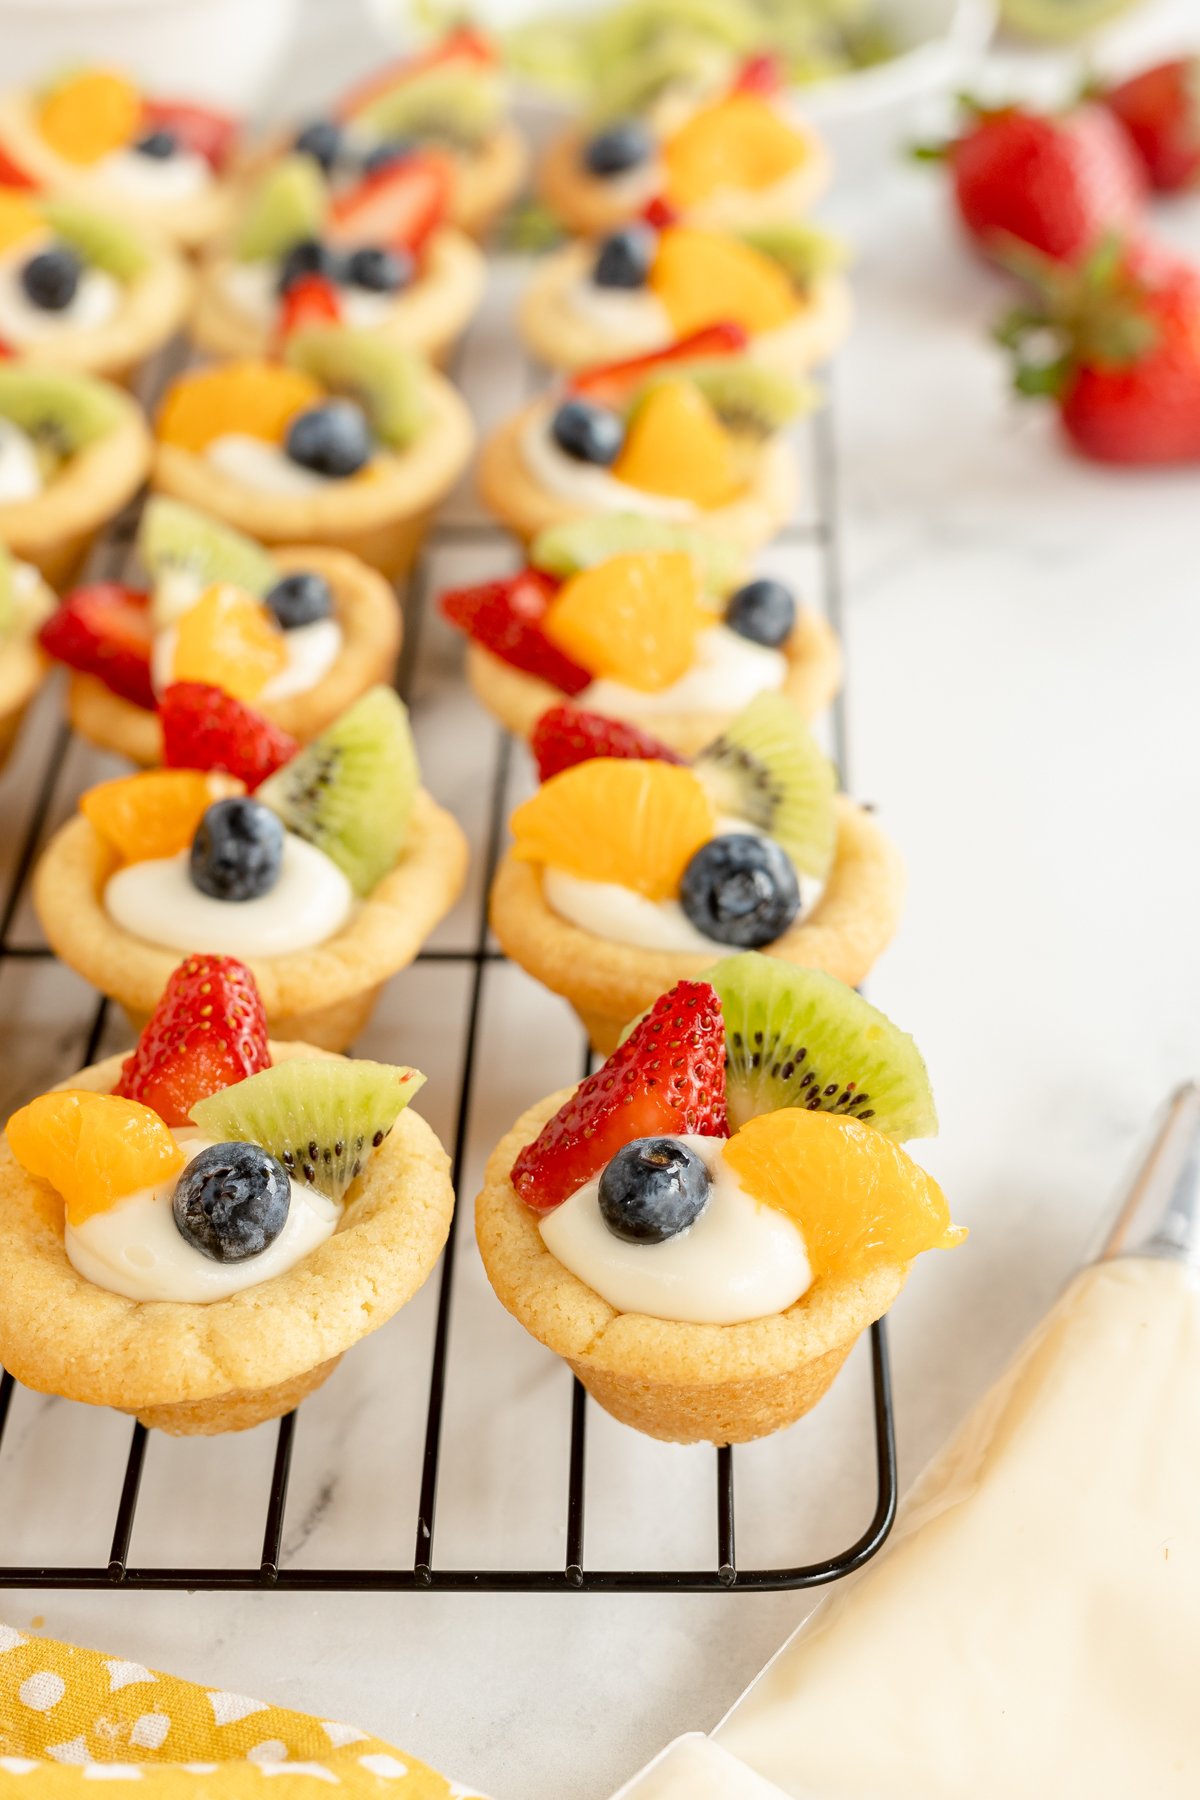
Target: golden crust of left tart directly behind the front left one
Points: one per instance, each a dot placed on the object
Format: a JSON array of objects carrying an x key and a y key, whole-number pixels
[{"x": 323, "y": 989}]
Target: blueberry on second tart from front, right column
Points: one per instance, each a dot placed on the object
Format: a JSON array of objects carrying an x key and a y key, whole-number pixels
[{"x": 740, "y": 890}]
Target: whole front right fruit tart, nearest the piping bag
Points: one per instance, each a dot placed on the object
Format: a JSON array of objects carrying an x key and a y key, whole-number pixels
[{"x": 708, "y": 1225}]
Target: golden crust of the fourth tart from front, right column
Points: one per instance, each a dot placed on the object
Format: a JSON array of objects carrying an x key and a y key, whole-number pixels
[{"x": 508, "y": 490}]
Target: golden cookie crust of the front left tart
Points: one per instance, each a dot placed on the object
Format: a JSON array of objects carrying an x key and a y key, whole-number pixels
[{"x": 229, "y": 1363}]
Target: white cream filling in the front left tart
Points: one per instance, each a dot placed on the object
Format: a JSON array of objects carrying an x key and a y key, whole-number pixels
[{"x": 136, "y": 1248}]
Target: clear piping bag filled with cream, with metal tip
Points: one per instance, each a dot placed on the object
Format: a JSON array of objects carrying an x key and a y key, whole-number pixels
[{"x": 1035, "y": 1623}]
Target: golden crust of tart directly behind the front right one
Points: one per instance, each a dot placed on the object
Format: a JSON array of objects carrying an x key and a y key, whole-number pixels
[{"x": 611, "y": 984}]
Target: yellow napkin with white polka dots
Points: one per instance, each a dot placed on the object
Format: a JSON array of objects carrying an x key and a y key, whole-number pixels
[{"x": 75, "y": 1718}]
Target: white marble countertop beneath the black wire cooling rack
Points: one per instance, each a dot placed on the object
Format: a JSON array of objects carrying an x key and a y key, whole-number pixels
[{"x": 1025, "y": 649}]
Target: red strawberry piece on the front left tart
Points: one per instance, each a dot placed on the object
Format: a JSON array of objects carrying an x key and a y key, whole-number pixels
[{"x": 208, "y": 1032}]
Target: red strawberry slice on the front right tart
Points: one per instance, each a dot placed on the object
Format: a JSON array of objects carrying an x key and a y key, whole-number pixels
[{"x": 667, "y": 1079}]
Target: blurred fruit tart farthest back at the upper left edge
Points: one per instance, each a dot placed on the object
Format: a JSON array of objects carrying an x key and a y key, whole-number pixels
[{"x": 94, "y": 138}]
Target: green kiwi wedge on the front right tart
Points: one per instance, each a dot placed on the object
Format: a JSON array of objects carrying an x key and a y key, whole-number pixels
[{"x": 796, "y": 1038}]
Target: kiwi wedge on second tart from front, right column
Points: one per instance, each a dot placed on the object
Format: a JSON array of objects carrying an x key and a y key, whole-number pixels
[{"x": 769, "y": 769}]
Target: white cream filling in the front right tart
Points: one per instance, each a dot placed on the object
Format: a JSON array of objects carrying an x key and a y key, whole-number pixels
[{"x": 740, "y": 1261}]
